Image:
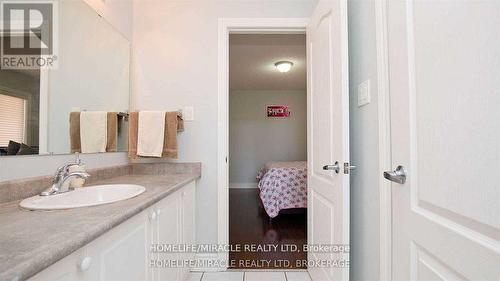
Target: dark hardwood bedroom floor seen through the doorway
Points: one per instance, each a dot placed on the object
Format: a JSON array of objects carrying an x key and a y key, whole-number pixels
[{"x": 250, "y": 225}]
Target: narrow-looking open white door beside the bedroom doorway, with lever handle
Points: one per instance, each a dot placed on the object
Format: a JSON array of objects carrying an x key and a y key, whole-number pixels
[{"x": 328, "y": 137}]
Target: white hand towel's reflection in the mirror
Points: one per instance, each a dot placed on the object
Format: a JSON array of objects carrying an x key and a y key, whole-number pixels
[{"x": 93, "y": 131}]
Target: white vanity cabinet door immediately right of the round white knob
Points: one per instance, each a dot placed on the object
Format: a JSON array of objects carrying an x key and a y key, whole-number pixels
[{"x": 123, "y": 253}]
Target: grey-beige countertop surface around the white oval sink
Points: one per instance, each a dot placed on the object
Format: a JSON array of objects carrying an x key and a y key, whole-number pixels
[{"x": 30, "y": 241}]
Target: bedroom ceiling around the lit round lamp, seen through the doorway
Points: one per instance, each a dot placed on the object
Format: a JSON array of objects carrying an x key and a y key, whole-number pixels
[{"x": 252, "y": 58}]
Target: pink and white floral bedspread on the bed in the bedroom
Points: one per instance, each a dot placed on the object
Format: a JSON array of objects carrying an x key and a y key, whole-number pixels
[{"x": 283, "y": 185}]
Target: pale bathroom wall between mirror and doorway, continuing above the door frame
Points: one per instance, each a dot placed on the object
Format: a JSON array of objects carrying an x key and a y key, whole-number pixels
[{"x": 175, "y": 64}]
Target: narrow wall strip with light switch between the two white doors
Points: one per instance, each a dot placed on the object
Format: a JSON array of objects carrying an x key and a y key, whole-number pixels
[{"x": 364, "y": 143}]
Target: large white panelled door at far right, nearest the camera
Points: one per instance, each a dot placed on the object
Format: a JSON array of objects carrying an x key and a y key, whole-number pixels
[{"x": 445, "y": 126}]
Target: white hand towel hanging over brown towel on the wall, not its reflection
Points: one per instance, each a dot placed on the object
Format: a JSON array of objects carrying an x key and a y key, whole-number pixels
[{"x": 151, "y": 133}]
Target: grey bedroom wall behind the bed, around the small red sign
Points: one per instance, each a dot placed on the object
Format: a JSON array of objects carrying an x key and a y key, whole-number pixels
[{"x": 255, "y": 139}]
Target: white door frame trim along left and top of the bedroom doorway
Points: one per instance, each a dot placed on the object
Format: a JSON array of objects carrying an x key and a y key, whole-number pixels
[{"x": 237, "y": 26}]
